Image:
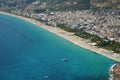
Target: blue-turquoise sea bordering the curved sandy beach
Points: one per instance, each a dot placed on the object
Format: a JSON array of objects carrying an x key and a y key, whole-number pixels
[{"x": 28, "y": 52}]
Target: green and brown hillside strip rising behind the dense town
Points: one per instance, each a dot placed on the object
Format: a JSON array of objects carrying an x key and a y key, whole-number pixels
[{"x": 61, "y": 5}]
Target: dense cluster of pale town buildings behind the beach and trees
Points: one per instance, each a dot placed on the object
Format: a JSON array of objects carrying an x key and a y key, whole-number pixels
[{"x": 104, "y": 24}]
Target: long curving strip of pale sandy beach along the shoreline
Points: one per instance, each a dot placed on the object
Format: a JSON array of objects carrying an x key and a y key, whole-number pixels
[{"x": 72, "y": 38}]
